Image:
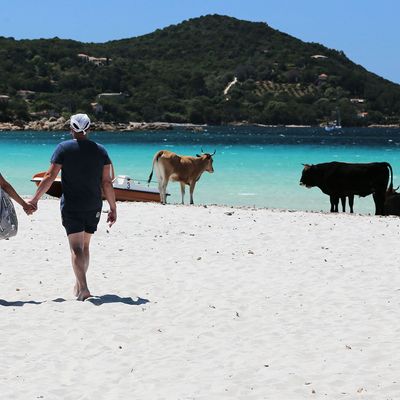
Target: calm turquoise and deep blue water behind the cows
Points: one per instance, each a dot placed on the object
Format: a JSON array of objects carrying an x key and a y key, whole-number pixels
[{"x": 253, "y": 166}]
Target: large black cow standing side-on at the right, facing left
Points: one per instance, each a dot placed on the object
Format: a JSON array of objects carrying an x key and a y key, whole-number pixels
[{"x": 340, "y": 179}]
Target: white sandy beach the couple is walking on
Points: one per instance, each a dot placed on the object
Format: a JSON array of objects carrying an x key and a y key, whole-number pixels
[{"x": 204, "y": 303}]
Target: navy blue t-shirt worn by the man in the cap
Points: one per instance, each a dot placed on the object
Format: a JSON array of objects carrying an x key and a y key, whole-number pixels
[{"x": 81, "y": 173}]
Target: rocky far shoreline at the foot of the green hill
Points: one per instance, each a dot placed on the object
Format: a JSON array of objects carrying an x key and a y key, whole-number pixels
[{"x": 53, "y": 124}]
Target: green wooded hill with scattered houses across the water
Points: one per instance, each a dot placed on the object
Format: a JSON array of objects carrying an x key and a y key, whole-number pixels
[{"x": 212, "y": 69}]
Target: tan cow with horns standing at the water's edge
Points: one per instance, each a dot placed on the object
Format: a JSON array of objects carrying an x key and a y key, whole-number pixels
[{"x": 186, "y": 170}]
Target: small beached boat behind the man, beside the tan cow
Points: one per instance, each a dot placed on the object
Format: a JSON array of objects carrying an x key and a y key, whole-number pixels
[{"x": 125, "y": 188}]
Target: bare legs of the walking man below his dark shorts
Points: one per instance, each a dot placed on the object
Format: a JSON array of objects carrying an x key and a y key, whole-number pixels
[{"x": 79, "y": 264}]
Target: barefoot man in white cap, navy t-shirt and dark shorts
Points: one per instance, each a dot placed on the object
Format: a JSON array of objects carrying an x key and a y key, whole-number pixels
[{"x": 85, "y": 170}]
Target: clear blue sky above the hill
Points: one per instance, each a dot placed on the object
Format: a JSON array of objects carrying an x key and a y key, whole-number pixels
[{"x": 368, "y": 31}]
